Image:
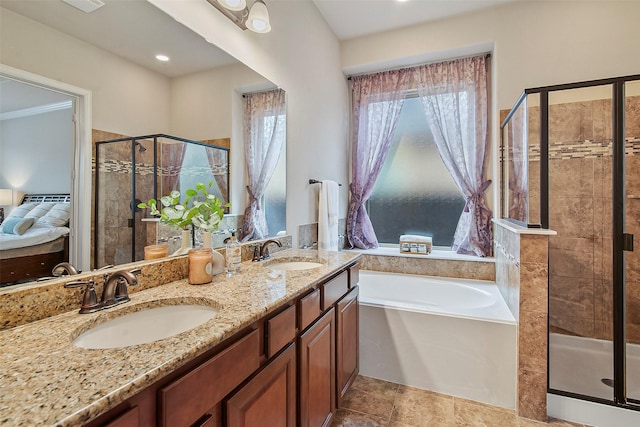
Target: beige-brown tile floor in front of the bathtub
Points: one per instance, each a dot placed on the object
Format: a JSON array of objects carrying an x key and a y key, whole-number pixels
[{"x": 376, "y": 403}]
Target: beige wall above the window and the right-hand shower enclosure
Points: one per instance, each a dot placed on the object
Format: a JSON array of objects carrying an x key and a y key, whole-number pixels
[{"x": 535, "y": 43}]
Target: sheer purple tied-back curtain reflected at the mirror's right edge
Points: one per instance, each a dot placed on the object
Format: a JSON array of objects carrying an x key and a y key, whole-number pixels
[{"x": 264, "y": 134}]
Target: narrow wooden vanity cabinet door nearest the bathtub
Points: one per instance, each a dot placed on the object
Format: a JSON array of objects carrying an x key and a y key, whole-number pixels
[{"x": 347, "y": 343}]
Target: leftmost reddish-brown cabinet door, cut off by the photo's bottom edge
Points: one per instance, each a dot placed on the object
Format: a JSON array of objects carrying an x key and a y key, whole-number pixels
[{"x": 269, "y": 398}]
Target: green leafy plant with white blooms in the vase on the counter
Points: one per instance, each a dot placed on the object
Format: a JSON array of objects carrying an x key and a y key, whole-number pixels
[{"x": 199, "y": 209}]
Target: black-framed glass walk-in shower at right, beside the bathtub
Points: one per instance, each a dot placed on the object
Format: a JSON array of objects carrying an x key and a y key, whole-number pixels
[{"x": 571, "y": 163}]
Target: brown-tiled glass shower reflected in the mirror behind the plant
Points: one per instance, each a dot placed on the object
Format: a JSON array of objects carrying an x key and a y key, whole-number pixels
[{"x": 134, "y": 169}]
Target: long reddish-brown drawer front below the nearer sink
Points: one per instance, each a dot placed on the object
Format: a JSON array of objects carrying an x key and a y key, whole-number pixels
[{"x": 187, "y": 399}]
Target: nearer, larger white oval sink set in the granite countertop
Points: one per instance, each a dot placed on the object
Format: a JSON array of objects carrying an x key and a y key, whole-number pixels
[{"x": 145, "y": 326}]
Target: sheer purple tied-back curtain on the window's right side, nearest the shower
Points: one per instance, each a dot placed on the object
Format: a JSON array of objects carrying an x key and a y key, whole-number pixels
[{"x": 454, "y": 97}]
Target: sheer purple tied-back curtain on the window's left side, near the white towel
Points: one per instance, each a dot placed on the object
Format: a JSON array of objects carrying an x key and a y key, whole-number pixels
[{"x": 376, "y": 101}]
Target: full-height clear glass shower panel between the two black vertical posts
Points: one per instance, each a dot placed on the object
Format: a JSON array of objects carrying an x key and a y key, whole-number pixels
[{"x": 581, "y": 254}]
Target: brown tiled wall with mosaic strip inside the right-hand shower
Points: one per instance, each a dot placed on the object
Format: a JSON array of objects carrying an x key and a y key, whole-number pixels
[{"x": 580, "y": 205}]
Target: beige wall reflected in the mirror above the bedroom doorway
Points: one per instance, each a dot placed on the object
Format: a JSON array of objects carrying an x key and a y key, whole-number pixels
[{"x": 127, "y": 98}]
